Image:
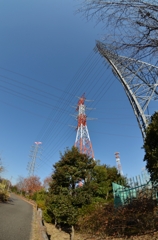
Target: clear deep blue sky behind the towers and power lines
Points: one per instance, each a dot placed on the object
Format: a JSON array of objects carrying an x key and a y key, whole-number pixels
[{"x": 47, "y": 61}]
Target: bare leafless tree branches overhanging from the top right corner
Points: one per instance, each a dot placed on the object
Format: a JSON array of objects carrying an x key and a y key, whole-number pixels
[{"x": 131, "y": 26}]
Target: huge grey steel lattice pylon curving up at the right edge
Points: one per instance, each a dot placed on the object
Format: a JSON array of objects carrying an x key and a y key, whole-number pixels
[{"x": 139, "y": 80}]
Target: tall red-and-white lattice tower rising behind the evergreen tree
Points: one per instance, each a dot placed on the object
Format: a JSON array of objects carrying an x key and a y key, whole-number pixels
[{"x": 83, "y": 142}]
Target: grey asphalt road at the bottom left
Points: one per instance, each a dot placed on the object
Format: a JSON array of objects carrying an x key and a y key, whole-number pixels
[{"x": 15, "y": 219}]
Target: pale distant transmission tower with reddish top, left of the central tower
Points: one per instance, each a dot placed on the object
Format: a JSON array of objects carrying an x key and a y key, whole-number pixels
[{"x": 34, "y": 155}]
